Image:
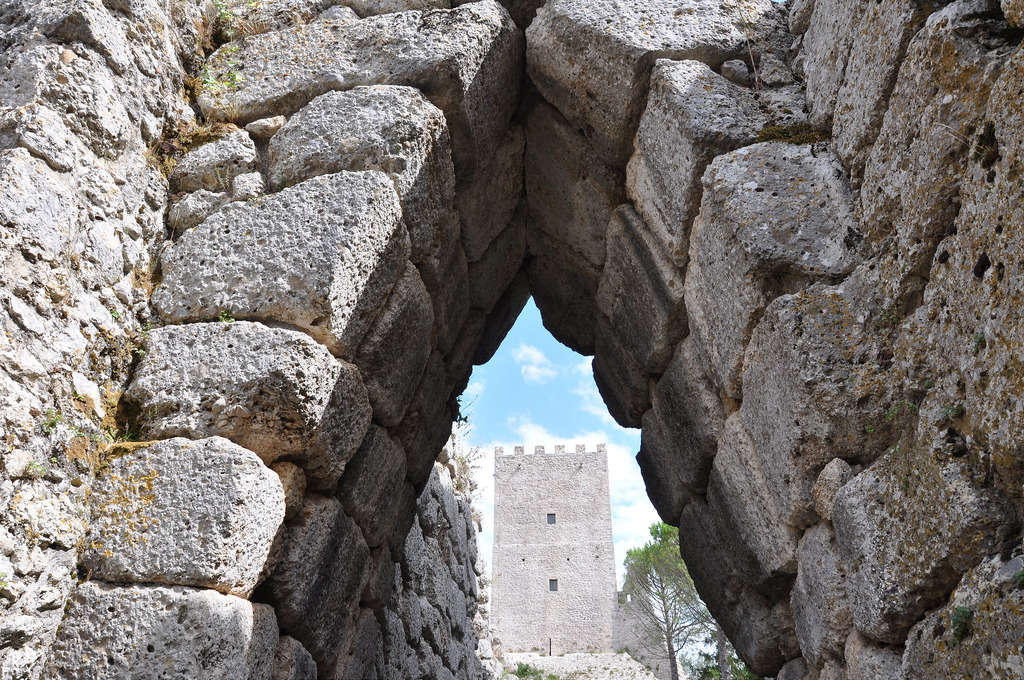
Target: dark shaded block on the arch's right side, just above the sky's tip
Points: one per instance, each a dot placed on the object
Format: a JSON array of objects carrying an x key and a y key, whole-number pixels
[{"x": 565, "y": 288}]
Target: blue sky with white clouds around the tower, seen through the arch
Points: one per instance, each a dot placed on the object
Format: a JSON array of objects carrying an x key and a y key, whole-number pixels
[{"x": 536, "y": 392}]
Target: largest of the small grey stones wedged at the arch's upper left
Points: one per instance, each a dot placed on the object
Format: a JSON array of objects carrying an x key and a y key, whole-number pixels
[{"x": 215, "y": 165}]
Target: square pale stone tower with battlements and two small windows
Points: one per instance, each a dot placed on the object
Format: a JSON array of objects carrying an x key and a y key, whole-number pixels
[{"x": 554, "y": 563}]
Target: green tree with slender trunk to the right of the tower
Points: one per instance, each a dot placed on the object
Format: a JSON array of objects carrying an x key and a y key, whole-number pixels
[{"x": 670, "y": 614}]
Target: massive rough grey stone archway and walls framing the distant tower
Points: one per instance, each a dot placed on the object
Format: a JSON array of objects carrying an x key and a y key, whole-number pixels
[{"x": 789, "y": 234}]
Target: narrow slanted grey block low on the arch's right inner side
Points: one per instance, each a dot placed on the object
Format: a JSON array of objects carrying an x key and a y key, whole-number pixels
[{"x": 748, "y": 494}]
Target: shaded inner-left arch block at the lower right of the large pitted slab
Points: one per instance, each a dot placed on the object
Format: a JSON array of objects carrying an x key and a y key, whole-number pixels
[{"x": 397, "y": 349}]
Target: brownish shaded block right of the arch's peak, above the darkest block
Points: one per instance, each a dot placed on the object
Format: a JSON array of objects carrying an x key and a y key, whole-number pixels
[{"x": 572, "y": 193}]
